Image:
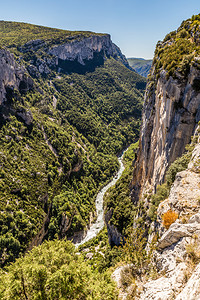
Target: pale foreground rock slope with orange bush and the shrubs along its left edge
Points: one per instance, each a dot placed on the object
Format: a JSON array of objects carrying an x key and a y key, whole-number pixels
[{"x": 167, "y": 266}]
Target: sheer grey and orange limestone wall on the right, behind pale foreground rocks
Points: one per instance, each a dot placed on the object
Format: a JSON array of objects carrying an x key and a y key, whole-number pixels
[{"x": 170, "y": 114}]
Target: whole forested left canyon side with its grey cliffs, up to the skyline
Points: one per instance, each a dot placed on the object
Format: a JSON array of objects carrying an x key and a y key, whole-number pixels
[{"x": 68, "y": 105}]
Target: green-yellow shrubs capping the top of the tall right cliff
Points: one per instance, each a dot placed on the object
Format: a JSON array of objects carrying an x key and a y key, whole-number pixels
[{"x": 179, "y": 50}]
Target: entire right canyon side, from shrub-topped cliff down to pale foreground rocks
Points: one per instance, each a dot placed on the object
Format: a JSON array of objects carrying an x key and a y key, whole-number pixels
[{"x": 163, "y": 245}]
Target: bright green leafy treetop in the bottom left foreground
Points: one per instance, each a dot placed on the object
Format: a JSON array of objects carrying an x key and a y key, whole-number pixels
[{"x": 54, "y": 271}]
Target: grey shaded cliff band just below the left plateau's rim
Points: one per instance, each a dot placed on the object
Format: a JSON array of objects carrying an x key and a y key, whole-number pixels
[{"x": 87, "y": 52}]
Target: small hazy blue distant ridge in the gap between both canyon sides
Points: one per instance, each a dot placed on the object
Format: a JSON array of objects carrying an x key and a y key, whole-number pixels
[{"x": 140, "y": 65}]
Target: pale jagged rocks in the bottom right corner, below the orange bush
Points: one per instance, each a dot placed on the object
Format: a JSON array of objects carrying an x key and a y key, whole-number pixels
[{"x": 174, "y": 262}]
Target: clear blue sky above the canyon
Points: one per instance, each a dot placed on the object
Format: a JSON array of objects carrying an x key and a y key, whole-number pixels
[{"x": 135, "y": 26}]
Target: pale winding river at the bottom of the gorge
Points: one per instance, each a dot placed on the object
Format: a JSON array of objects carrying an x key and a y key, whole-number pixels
[{"x": 99, "y": 224}]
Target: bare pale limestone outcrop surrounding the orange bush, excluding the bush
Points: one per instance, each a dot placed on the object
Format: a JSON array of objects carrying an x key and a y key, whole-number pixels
[{"x": 179, "y": 244}]
